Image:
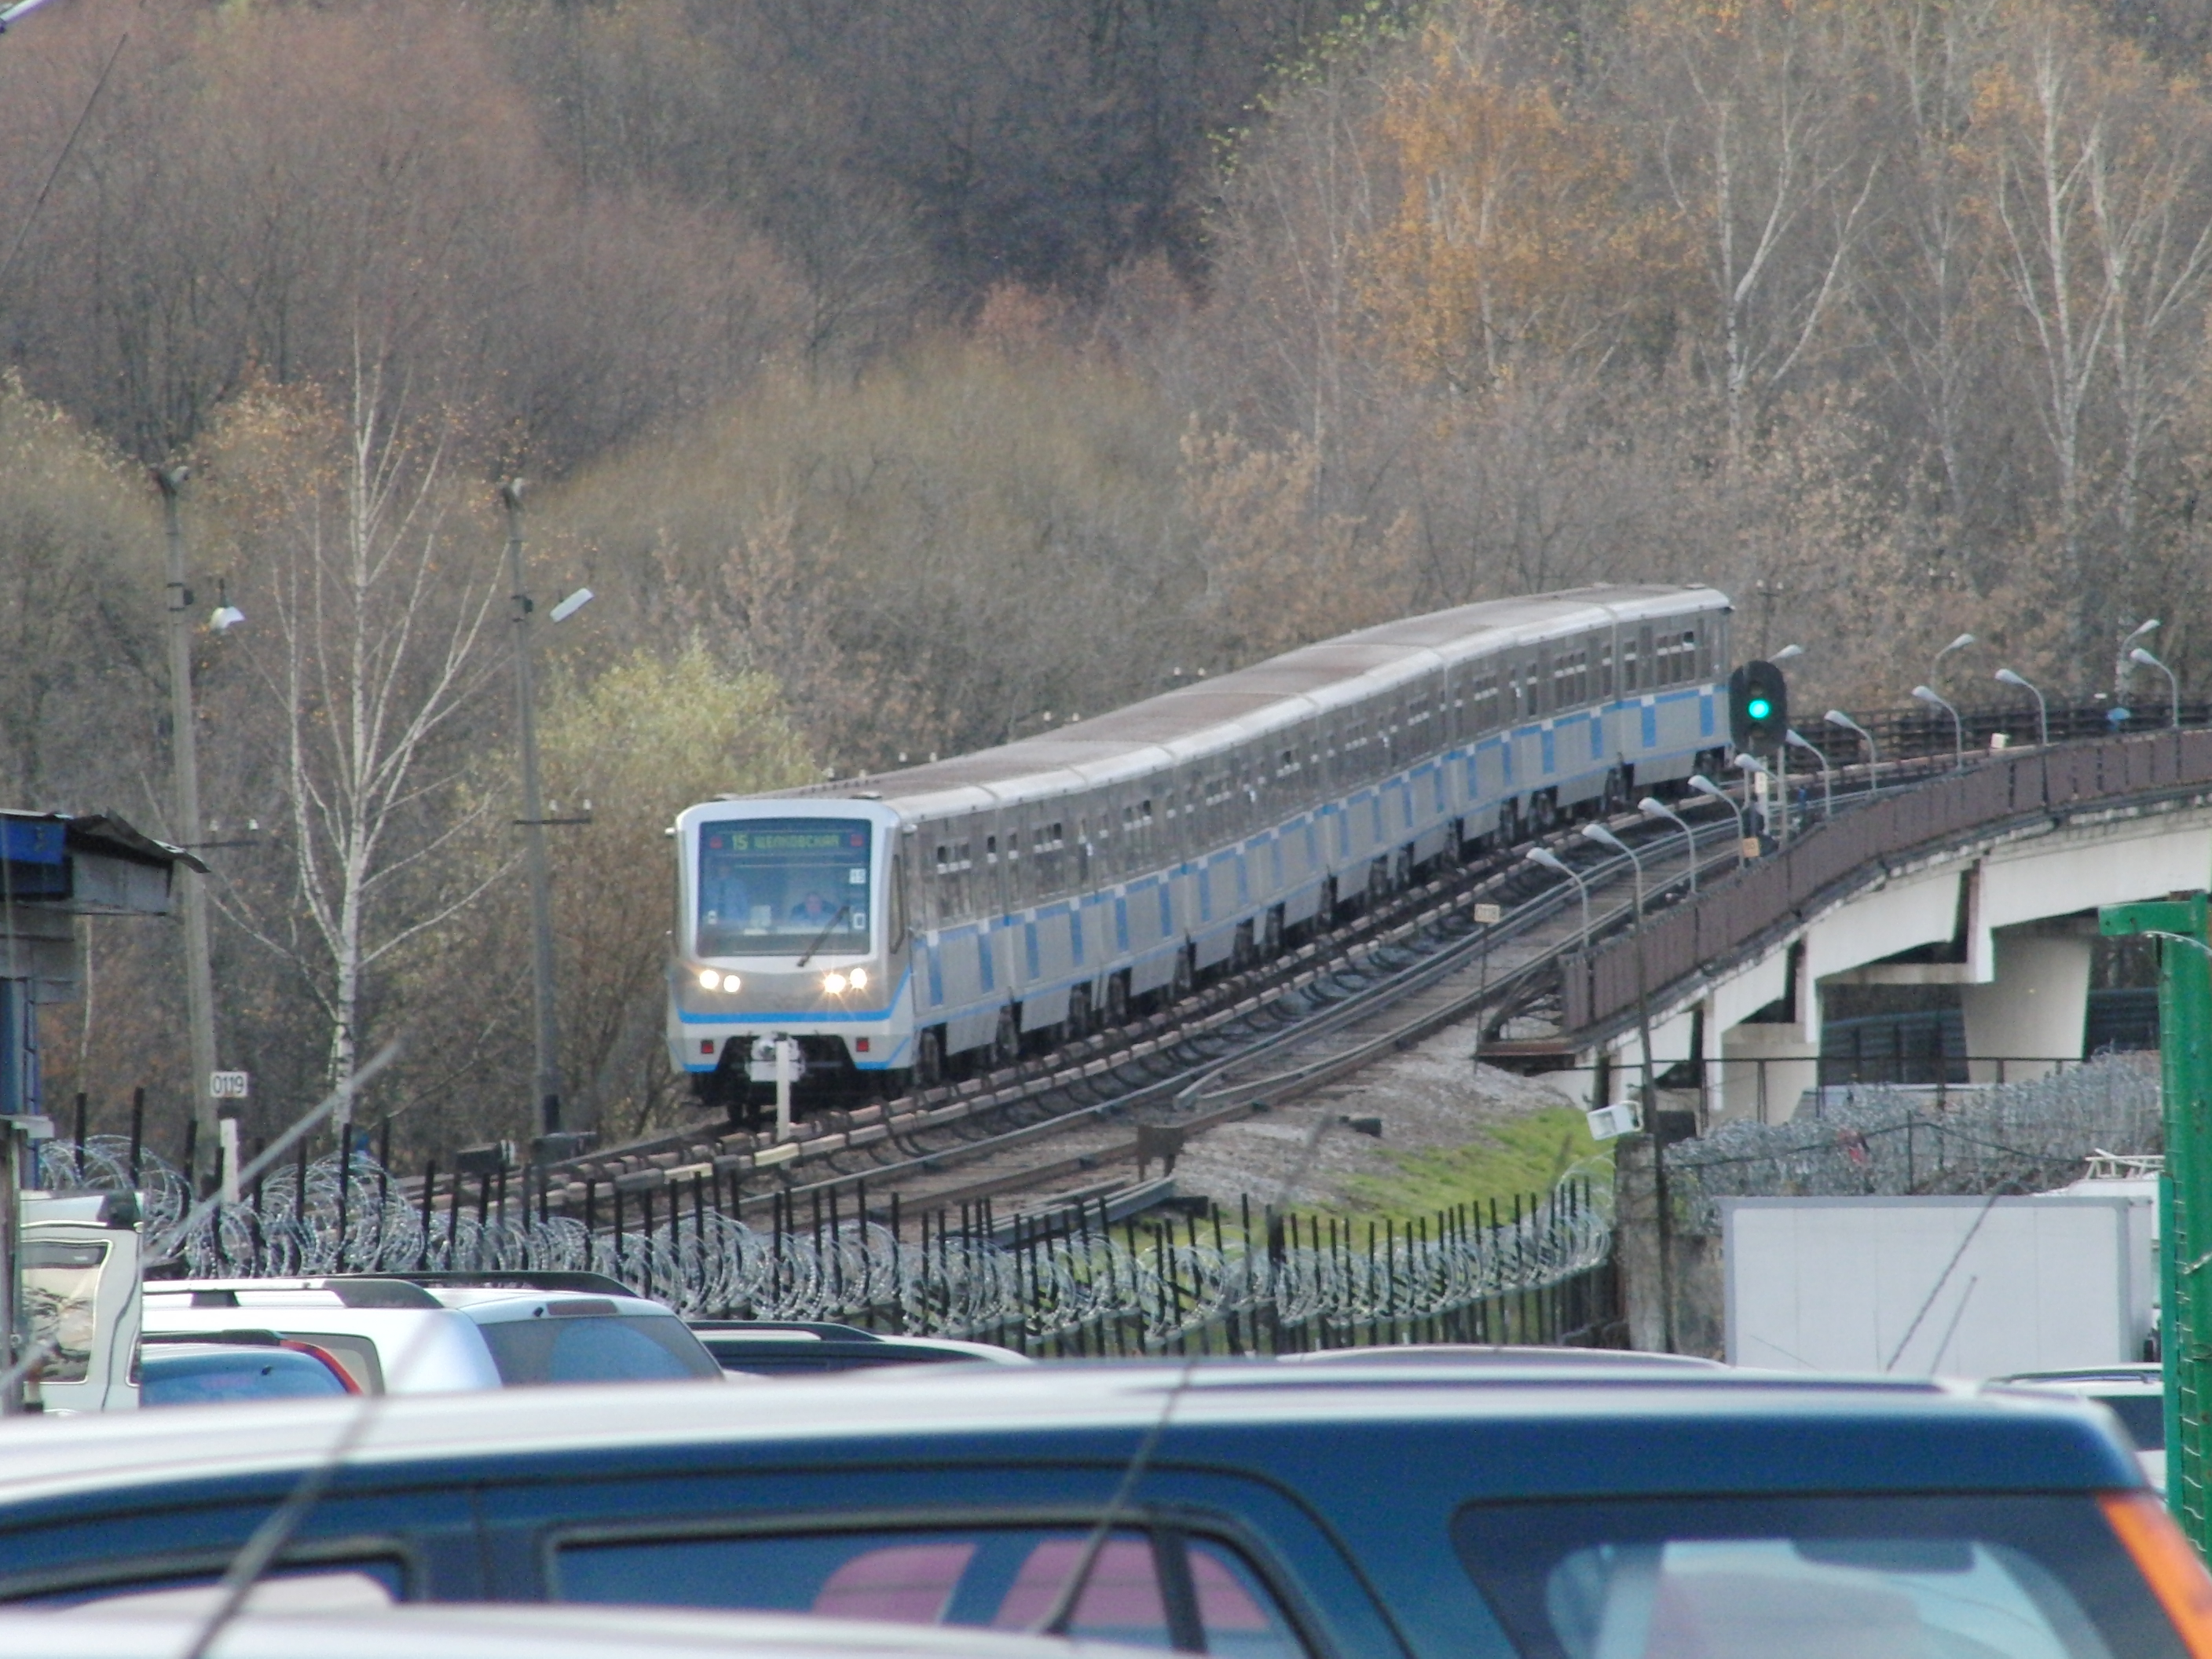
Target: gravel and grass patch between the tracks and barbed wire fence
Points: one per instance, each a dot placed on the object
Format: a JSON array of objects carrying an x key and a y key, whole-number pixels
[{"x": 1428, "y": 1098}]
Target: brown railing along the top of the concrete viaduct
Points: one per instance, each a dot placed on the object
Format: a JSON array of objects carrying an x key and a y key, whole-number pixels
[{"x": 1771, "y": 895}]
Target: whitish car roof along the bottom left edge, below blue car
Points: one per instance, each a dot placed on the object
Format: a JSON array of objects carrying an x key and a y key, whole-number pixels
[{"x": 432, "y": 1631}]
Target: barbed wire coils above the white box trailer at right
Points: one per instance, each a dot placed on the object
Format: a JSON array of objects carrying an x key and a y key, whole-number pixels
[{"x": 1888, "y": 1140}]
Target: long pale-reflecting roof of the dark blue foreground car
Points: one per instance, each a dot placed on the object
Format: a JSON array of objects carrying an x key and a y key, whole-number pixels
[{"x": 1543, "y": 1430}]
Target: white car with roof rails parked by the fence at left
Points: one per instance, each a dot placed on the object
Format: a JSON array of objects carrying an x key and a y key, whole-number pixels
[{"x": 439, "y": 1333}]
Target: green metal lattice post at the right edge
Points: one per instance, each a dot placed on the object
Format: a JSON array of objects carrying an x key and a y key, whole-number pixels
[{"x": 2184, "y": 1191}]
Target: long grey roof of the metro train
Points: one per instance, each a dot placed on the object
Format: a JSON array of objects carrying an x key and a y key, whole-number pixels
[{"x": 1251, "y": 702}]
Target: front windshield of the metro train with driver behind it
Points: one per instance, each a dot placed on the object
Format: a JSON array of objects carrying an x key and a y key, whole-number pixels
[{"x": 784, "y": 886}]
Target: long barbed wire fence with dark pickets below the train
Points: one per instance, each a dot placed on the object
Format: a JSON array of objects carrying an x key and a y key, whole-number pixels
[{"x": 1070, "y": 1282}]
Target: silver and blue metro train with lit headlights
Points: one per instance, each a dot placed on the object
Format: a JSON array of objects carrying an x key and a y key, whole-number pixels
[{"x": 963, "y": 912}]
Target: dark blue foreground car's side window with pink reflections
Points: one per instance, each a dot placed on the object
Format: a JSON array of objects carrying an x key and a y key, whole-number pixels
[{"x": 1151, "y": 1592}]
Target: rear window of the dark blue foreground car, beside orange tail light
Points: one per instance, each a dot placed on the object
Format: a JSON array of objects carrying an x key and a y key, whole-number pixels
[{"x": 1815, "y": 1578}]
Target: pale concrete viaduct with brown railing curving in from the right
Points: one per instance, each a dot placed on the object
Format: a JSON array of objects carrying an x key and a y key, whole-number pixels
[{"x": 1987, "y": 877}]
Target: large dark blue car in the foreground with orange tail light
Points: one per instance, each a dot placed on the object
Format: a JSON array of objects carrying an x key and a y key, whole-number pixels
[{"x": 1258, "y": 1512}]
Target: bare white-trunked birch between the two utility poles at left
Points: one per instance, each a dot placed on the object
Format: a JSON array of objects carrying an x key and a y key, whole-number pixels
[{"x": 373, "y": 594}]
